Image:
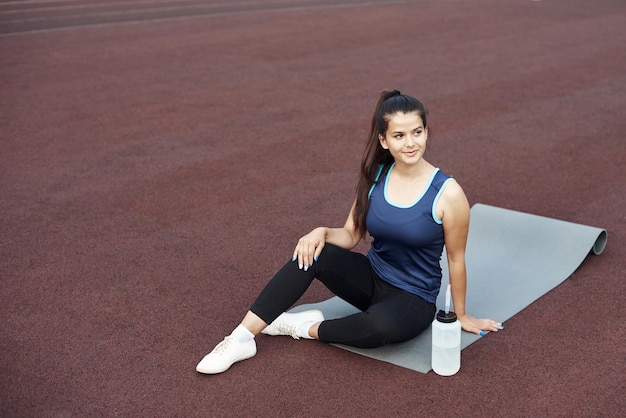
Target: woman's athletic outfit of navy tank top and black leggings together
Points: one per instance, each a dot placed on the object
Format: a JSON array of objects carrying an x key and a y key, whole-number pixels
[{"x": 395, "y": 285}]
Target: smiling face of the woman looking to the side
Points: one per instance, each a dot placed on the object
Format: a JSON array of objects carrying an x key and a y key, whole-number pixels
[{"x": 405, "y": 138}]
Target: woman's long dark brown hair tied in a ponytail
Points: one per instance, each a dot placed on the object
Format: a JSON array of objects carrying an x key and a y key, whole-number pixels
[{"x": 375, "y": 156}]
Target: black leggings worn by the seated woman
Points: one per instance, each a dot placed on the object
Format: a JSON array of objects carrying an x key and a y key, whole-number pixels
[{"x": 389, "y": 315}]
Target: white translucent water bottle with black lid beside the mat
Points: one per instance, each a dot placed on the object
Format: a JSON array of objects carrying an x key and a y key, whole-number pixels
[{"x": 446, "y": 352}]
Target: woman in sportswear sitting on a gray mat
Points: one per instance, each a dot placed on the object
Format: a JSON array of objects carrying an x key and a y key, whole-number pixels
[{"x": 411, "y": 209}]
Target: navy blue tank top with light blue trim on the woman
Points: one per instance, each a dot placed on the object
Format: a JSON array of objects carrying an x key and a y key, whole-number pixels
[{"x": 408, "y": 240}]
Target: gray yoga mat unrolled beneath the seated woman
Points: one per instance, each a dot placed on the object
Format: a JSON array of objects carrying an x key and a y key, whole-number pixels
[{"x": 512, "y": 259}]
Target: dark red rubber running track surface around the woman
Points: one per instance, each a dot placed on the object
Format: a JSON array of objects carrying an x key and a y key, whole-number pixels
[{"x": 159, "y": 160}]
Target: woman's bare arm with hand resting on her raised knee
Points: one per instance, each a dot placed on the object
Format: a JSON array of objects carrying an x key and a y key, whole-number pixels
[{"x": 310, "y": 246}]
